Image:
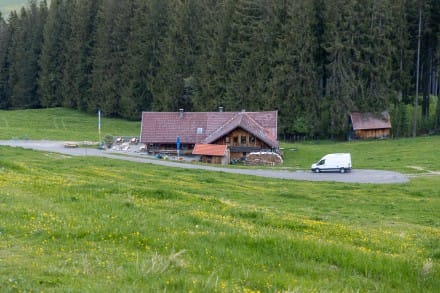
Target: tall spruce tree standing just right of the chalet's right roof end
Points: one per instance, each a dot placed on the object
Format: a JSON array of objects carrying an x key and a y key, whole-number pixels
[{"x": 294, "y": 72}]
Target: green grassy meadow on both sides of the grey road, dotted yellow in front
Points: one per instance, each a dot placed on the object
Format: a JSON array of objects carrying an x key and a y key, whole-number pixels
[{"x": 95, "y": 224}]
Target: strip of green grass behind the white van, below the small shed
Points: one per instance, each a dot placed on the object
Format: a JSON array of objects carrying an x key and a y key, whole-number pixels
[{"x": 405, "y": 155}]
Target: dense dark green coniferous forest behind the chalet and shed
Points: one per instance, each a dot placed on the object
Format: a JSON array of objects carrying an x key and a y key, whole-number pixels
[{"x": 314, "y": 61}]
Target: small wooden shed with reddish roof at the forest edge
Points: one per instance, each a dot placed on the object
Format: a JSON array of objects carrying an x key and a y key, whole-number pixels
[{"x": 370, "y": 125}]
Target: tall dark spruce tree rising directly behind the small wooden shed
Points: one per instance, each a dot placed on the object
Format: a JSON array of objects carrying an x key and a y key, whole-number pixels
[{"x": 372, "y": 62}]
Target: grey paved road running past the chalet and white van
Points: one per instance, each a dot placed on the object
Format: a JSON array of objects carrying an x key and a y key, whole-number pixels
[{"x": 355, "y": 176}]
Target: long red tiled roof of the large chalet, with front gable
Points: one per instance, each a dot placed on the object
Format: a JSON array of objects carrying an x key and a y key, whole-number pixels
[{"x": 205, "y": 127}]
